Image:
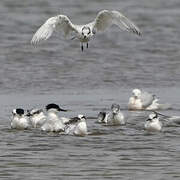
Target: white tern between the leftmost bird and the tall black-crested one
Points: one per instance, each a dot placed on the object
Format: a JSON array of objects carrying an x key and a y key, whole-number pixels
[{"x": 37, "y": 117}]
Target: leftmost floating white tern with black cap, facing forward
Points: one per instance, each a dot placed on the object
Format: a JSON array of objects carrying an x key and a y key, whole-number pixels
[{"x": 19, "y": 120}]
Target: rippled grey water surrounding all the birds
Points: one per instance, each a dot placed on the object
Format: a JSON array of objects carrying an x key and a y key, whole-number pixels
[{"x": 86, "y": 83}]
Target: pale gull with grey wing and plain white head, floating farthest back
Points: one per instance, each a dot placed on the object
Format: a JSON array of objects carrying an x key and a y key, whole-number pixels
[{"x": 142, "y": 100}]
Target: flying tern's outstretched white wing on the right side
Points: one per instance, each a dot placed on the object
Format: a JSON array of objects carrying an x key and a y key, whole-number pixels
[{"x": 106, "y": 18}]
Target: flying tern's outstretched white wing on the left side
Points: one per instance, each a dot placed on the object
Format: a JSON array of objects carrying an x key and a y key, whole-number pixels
[{"x": 57, "y": 23}]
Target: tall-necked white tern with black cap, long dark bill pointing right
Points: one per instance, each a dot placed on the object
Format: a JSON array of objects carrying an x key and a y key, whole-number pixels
[{"x": 53, "y": 123}]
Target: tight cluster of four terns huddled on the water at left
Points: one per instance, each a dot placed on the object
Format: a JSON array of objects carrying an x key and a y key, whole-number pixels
[{"x": 49, "y": 122}]
